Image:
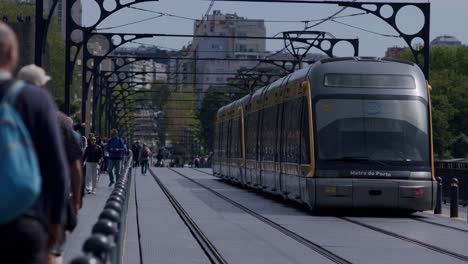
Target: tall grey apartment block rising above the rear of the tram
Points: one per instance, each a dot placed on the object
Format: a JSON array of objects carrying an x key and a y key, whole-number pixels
[{"x": 200, "y": 71}]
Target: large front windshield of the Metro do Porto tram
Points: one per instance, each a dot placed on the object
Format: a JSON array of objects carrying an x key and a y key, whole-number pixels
[{"x": 378, "y": 132}]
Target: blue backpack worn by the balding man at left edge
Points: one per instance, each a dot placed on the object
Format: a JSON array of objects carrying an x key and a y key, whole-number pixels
[{"x": 20, "y": 178}]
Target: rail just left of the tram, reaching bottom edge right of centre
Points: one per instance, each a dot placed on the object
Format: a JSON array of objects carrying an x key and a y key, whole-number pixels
[{"x": 298, "y": 238}]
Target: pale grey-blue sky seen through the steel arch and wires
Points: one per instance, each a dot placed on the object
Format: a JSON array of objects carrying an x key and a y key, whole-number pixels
[{"x": 448, "y": 17}]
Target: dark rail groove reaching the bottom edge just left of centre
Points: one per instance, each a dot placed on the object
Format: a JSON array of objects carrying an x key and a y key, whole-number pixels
[{"x": 208, "y": 248}]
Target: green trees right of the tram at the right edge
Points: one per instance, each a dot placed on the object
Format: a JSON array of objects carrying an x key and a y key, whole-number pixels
[{"x": 449, "y": 80}]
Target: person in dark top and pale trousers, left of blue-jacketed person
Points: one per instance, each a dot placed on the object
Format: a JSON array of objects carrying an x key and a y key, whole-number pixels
[{"x": 92, "y": 157}]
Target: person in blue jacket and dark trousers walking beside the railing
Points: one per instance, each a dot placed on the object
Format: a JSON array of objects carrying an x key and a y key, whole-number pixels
[{"x": 115, "y": 147}]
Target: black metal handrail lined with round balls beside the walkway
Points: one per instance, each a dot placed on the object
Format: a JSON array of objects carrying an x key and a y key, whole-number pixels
[{"x": 106, "y": 240}]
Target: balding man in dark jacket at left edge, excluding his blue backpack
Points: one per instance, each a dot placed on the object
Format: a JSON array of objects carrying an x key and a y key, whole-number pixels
[{"x": 40, "y": 226}]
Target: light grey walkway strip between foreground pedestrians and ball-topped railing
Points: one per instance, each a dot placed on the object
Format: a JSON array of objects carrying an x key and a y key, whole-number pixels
[{"x": 92, "y": 206}]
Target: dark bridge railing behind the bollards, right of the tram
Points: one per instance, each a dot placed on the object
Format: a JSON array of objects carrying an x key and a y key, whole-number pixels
[{"x": 453, "y": 169}]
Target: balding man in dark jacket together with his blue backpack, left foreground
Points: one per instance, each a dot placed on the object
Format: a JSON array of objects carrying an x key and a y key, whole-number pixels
[{"x": 34, "y": 228}]
